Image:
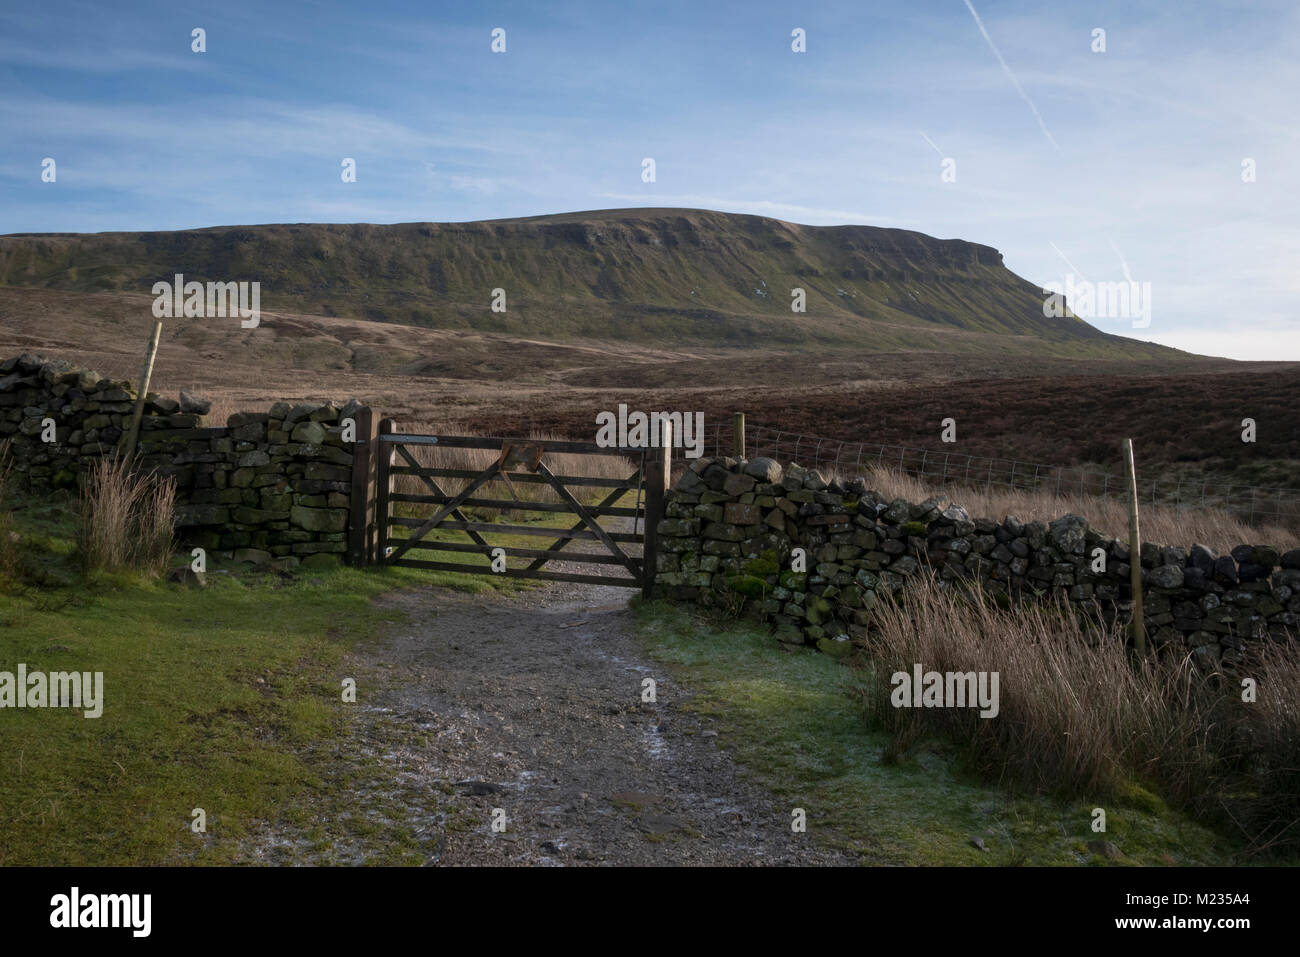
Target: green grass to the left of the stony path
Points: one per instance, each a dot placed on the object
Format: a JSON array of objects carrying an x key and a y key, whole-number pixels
[{"x": 226, "y": 699}]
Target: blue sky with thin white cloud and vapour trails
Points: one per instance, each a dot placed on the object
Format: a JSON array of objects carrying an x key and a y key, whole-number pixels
[{"x": 1067, "y": 161}]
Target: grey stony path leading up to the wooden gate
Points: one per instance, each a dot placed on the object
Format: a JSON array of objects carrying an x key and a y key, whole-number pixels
[{"x": 532, "y": 704}]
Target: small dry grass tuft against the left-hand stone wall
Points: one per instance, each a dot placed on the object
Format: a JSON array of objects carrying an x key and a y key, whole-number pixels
[{"x": 127, "y": 519}]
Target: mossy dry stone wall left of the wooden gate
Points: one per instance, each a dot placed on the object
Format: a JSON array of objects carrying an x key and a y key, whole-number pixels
[{"x": 270, "y": 487}]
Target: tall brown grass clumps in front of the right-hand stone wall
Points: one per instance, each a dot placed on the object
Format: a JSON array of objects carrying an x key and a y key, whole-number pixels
[{"x": 1077, "y": 717}]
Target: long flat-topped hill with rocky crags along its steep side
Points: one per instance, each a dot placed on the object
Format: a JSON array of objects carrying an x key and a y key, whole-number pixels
[{"x": 625, "y": 275}]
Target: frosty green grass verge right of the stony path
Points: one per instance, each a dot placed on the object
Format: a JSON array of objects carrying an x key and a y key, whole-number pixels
[{"x": 791, "y": 720}]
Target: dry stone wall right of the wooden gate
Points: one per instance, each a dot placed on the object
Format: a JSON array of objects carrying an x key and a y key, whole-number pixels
[{"x": 731, "y": 527}]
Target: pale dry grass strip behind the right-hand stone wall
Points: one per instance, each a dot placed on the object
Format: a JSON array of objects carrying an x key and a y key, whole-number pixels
[{"x": 1163, "y": 525}]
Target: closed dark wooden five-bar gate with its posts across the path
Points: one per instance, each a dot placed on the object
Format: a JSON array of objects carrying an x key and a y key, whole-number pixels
[{"x": 626, "y": 545}]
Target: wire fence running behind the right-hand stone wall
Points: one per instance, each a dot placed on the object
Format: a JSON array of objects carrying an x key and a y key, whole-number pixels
[{"x": 1251, "y": 503}]
